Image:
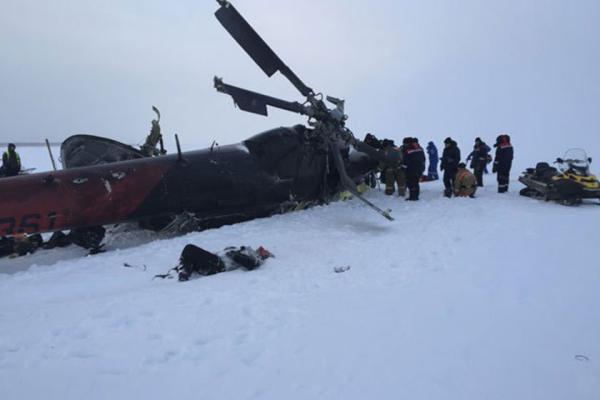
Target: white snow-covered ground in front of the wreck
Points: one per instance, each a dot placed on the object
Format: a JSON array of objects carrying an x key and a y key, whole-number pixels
[{"x": 491, "y": 298}]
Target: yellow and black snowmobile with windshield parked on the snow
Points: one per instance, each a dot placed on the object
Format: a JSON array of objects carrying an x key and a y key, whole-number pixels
[{"x": 570, "y": 183}]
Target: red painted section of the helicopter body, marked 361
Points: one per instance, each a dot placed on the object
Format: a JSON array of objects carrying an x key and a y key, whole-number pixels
[{"x": 77, "y": 197}]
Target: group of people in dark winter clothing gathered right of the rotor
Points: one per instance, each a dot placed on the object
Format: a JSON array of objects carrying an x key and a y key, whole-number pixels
[{"x": 407, "y": 165}]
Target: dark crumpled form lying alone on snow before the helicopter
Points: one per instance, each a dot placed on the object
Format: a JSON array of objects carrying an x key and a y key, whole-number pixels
[{"x": 197, "y": 261}]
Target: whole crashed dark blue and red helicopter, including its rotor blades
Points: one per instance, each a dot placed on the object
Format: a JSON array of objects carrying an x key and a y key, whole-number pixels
[{"x": 106, "y": 182}]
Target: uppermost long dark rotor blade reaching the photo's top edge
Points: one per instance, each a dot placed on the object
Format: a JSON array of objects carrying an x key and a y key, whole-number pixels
[{"x": 255, "y": 46}]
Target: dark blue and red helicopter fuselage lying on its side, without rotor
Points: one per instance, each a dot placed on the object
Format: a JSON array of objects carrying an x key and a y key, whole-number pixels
[{"x": 264, "y": 175}]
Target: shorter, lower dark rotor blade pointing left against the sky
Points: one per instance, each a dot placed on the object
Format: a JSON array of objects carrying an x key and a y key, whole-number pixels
[{"x": 257, "y": 103}]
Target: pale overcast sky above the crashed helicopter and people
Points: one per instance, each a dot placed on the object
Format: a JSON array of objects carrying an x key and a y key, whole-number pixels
[{"x": 424, "y": 68}]
